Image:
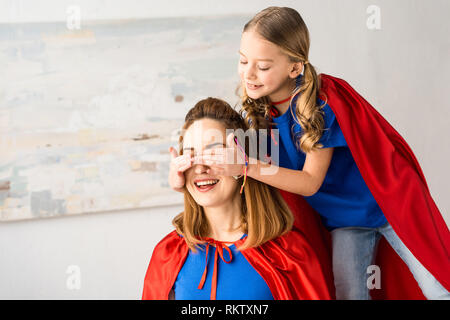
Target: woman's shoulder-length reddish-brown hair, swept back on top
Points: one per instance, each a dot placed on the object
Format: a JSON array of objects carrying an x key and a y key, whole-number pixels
[{"x": 265, "y": 215}]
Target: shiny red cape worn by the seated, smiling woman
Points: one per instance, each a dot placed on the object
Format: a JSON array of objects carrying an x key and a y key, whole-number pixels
[{"x": 288, "y": 264}]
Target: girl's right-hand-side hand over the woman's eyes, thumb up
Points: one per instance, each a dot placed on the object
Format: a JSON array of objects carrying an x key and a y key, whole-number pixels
[{"x": 229, "y": 161}]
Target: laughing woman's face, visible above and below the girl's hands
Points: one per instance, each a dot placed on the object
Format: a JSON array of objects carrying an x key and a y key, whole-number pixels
[{"x": 206, "y": 189}]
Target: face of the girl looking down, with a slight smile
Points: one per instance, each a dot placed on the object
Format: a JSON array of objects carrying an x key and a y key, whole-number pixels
[{"x": 264, "y": 69}]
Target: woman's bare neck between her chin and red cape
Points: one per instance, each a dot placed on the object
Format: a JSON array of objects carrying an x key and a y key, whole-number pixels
[{"x": 225, "y": 220}]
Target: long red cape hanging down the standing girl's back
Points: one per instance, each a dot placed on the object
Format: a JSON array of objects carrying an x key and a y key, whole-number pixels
[{"x": 395, "y": 179}]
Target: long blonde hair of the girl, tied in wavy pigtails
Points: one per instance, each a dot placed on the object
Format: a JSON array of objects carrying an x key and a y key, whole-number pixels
[{"x": 285, "y": 28}]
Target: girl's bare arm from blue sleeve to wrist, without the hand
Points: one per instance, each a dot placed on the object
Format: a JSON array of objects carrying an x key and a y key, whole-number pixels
[{"x": 304, "y": 182}]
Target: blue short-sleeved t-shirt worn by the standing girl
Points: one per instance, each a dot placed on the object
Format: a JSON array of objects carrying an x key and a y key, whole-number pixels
[{"x": 344, "y": 199}]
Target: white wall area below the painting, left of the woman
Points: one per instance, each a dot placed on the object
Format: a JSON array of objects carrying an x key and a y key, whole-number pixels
[{"x": 111, "y": 250}]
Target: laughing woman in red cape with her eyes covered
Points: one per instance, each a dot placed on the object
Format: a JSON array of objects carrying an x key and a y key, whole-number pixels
[{"x": 250, "y": 231}]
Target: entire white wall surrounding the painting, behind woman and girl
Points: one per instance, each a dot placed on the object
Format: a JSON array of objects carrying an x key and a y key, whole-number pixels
[{"x": 402, "y": 69}]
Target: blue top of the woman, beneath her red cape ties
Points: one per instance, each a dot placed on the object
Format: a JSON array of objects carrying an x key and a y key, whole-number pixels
[{"x": 236, "y": 280}]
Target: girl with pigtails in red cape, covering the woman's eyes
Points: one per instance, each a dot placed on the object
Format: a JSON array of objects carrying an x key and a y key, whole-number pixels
[{"x": 337, "y": 151}]
